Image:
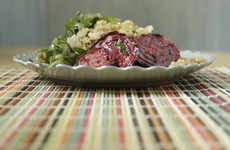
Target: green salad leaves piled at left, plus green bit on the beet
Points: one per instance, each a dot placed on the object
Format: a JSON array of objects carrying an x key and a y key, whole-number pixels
[{"x": 60, "y": 52}]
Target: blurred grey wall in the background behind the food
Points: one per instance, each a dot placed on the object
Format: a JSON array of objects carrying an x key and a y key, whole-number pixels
[{"x": 190, "y": 24}]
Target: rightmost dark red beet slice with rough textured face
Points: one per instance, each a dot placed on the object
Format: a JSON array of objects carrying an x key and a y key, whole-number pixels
[{"x": 156, "y": 50}]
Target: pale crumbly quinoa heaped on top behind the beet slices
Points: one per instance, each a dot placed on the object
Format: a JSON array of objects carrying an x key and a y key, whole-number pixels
[{"x": 87, "y": 36}]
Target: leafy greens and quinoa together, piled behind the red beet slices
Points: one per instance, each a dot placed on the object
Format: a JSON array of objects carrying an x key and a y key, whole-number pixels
[{"x": 82, "y": 31}]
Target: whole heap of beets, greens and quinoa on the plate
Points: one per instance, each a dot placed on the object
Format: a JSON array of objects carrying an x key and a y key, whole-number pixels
[{"x": 97, "y": 41}]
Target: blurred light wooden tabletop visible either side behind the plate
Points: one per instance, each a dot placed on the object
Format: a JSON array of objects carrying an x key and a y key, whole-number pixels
[{"x": 7, "y": 53}]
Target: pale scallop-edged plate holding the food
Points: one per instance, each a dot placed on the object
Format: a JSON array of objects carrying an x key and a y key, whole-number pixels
[{"x": 110, "y": 76}]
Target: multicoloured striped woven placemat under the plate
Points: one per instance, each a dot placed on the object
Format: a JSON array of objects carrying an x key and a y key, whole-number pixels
[{"x": 192, "y": 113}]
